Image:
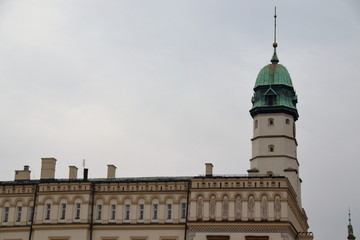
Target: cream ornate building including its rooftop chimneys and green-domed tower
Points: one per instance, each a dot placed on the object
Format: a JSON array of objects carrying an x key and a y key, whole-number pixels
[{"x": 264, "y": 204}]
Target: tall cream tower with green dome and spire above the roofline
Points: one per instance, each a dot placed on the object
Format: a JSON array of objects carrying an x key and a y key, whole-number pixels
[{"x": 274, "y": 113}]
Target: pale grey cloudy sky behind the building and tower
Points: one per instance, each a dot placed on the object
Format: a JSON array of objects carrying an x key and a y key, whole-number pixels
[{"x": 160, "y": 87}]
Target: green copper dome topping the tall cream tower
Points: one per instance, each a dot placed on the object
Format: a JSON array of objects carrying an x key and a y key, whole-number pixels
[{"x": 273, "y": 91}]
